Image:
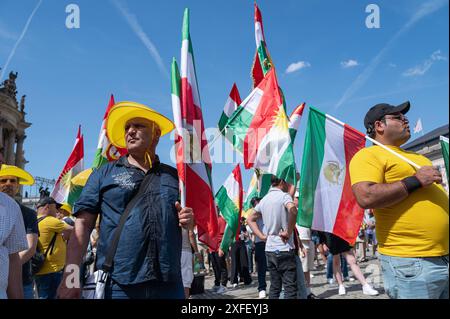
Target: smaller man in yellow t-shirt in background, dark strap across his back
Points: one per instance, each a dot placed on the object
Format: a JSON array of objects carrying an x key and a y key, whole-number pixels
[{"x": 52, "y": 236}]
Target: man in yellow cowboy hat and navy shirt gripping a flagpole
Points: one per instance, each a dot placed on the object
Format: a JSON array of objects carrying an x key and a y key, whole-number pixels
[{"x": 146, "y": 262}]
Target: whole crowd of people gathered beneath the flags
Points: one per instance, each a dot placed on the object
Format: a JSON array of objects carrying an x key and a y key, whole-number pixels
[{"x": 129, "y": 231}]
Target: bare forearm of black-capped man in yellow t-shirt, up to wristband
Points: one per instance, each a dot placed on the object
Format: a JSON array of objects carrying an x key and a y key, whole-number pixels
[{"x": 371, "y": 195}]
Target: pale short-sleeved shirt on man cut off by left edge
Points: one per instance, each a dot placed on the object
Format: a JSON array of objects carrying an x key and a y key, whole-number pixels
[{"x": 12, "y": 237}]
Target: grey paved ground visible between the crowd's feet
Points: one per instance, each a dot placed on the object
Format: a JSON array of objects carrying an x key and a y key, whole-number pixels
[{"x": 320, "y": 287}]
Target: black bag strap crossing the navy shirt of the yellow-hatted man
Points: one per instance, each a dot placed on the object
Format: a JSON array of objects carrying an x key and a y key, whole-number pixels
[{"x": 107, "y": 265}]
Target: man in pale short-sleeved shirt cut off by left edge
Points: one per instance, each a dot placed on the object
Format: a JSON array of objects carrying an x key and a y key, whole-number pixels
[{"x": 12, "y": 241}]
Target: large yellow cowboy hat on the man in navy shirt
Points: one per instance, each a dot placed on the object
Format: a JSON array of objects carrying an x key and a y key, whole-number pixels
[{"x": 122, "y": 112}]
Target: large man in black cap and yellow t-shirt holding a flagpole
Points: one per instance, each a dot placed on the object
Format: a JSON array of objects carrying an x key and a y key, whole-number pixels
[{"x": 410, "y": 206}]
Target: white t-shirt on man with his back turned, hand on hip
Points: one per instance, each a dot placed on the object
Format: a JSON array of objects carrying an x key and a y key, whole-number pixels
[{"x": 275, "y": 218}]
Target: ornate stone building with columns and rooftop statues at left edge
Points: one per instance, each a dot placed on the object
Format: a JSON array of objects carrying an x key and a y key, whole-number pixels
[{"x": 12, "y": 122}]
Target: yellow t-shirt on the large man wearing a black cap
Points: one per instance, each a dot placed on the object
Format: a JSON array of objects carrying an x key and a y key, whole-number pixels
[{"x": 418, "y": 225}]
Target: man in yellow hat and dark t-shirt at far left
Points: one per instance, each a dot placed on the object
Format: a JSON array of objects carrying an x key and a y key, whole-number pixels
[{"x": 11, "y": 177}]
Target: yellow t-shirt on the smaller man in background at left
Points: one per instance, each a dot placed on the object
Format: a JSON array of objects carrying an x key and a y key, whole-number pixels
[{"x": 47, "y": 228}]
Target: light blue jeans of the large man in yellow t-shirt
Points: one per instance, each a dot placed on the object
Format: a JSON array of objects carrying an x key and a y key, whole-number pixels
[{"x": 415, "y": 278}]
